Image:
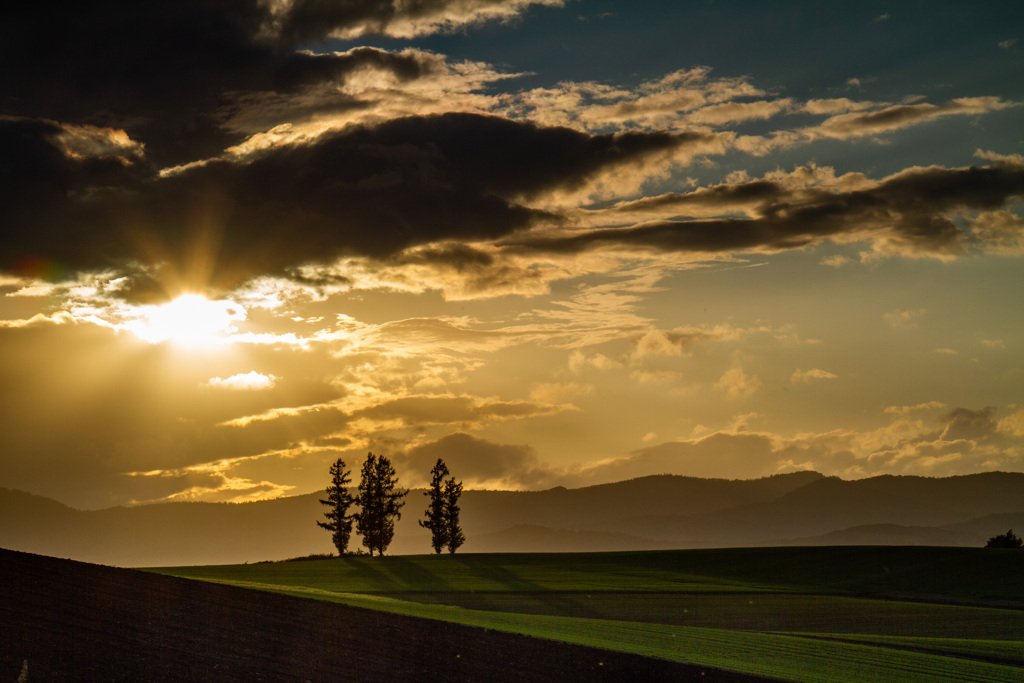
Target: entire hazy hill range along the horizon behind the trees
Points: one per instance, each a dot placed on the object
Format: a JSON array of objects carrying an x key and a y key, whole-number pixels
[{"x": 655, "y": 513}]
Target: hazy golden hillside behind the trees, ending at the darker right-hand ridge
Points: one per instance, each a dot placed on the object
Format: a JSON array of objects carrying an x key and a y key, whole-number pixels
[{"x": 227, "y": 534}]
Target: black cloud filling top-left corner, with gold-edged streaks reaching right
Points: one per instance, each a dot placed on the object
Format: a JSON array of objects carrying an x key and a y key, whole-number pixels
[{"x": 170, "y": 72}]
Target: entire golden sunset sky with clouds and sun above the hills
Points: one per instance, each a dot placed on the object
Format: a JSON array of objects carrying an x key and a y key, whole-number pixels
[{"x": 552, "y": 242}]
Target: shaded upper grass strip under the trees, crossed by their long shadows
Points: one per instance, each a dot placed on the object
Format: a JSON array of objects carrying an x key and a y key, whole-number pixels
[{"x": 965, "y": 575}]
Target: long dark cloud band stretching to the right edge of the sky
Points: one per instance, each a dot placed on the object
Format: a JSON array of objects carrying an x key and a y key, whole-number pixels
[{"x": 911, "y": 211}]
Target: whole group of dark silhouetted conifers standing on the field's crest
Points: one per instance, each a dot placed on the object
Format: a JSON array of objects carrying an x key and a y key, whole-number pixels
[{"x": 380, "y": 503}]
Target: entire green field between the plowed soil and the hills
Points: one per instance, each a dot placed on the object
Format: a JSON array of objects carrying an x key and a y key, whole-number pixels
[{"x": 794, "y": 614}]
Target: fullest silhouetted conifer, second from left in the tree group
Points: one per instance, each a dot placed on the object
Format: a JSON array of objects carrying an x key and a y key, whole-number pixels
[{"x": 380, "y": 502}]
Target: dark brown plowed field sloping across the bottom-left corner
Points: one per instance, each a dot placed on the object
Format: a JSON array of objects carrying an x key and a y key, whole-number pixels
[{"x": 77, "y": 622}]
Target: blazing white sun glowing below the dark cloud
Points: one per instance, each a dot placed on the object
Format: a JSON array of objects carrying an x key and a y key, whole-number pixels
[{"x": 190, "y": 321}]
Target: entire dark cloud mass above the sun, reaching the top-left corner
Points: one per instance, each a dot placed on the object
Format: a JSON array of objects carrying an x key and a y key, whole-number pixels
[{"x": 182, "y": 81}]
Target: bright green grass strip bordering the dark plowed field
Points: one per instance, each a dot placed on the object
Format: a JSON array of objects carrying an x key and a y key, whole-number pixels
[{"x": 787, "y": 657}]
